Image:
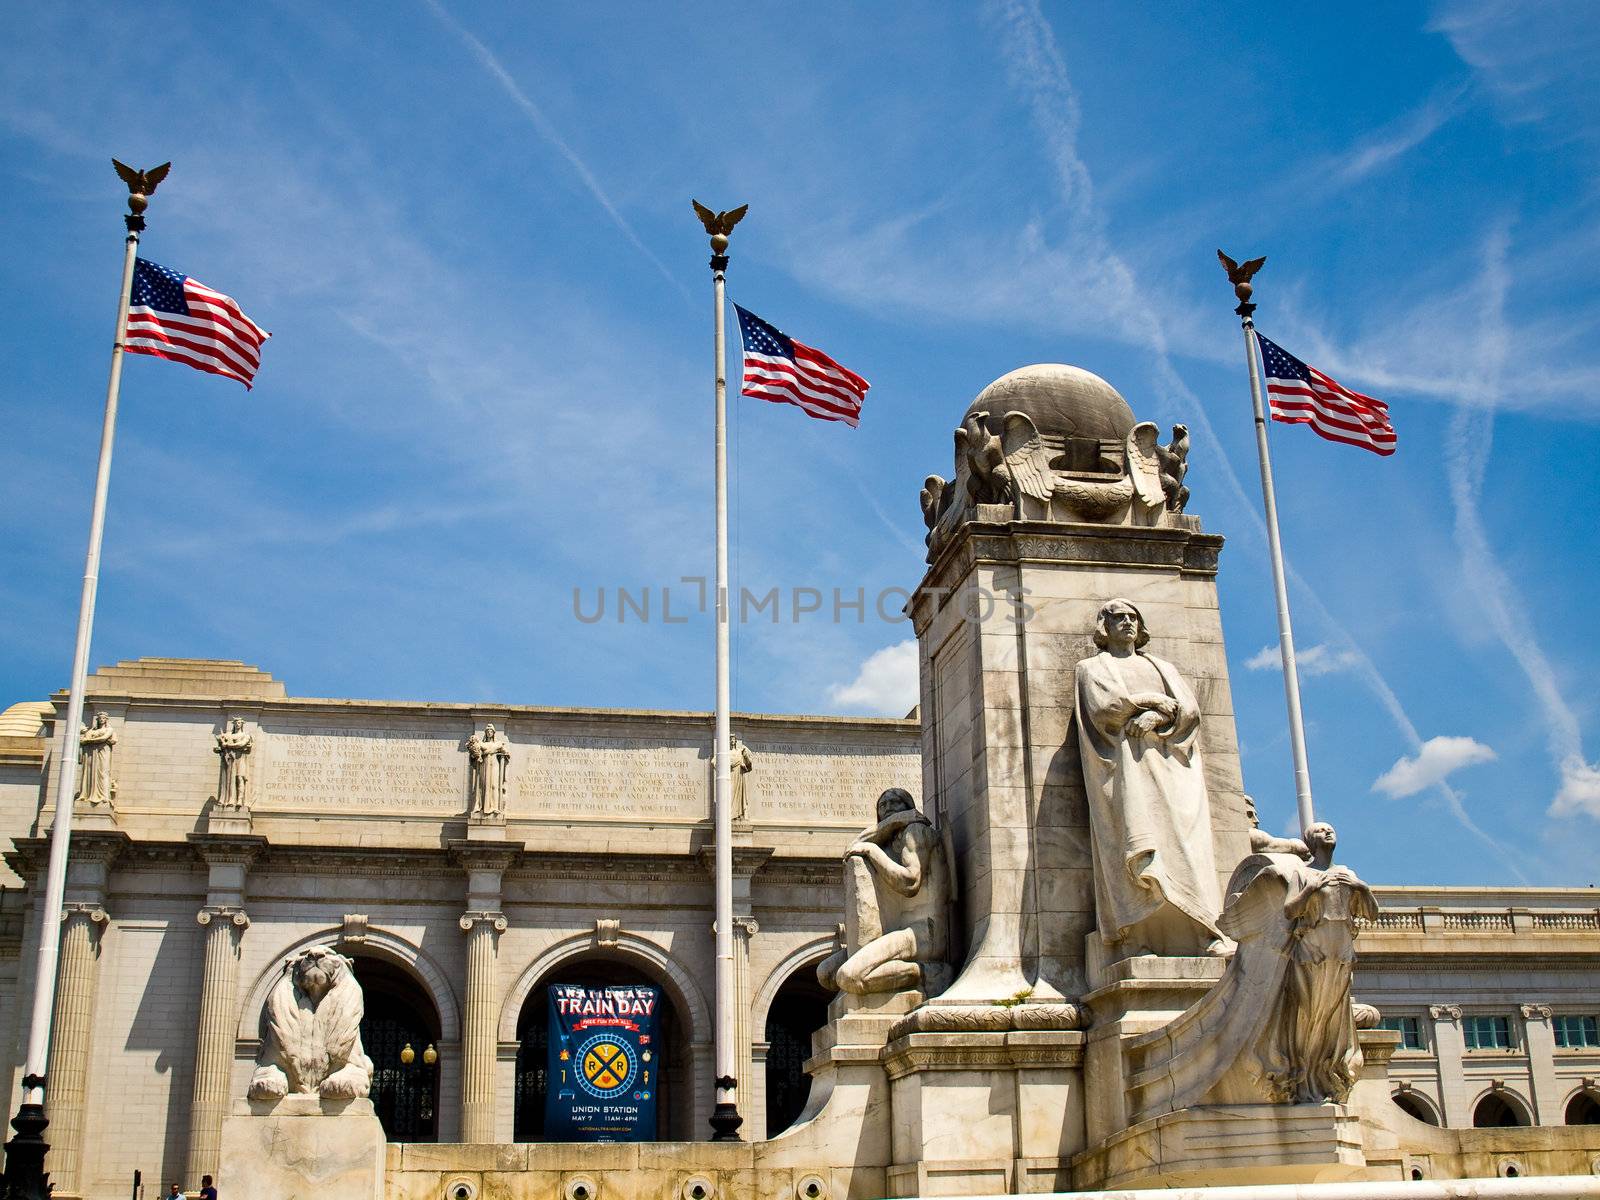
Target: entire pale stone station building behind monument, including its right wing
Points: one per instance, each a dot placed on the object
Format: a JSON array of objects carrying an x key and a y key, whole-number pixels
[{"x": 356, "y": 831}]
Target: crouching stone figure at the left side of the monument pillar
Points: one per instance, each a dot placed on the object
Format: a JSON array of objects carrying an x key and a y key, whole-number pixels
[{"x": 898, "y": 890}]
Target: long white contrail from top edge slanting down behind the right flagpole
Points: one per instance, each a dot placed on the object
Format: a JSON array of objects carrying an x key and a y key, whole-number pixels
[{"x": 1041, "y": 73}]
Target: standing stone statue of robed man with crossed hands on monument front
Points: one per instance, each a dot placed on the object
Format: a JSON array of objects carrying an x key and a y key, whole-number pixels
[{"x": 1151, "y": 822}]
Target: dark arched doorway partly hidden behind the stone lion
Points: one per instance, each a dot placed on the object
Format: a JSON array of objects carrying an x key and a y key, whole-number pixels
[{"x": 399, "y": 1015}]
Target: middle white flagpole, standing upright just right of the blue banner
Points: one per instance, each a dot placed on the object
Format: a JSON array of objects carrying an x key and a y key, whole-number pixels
[{"x": 726, "y": 1119}]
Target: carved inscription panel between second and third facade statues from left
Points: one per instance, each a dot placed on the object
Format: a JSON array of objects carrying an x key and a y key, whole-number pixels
[{"x": 362, "y": 769}]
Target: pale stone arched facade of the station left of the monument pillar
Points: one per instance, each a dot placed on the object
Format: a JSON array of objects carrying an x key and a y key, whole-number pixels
[{"x": 359, "y": 834}]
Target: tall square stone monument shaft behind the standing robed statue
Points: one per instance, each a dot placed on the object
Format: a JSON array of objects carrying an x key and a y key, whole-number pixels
[{"x": 1002, "y": 618}]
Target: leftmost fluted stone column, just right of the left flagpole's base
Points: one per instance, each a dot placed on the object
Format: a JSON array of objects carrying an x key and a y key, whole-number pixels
[{"x": 70, "y": 1044}]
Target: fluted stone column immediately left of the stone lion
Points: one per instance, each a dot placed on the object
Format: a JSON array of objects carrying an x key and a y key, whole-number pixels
[{"x": 225, "y": 927}]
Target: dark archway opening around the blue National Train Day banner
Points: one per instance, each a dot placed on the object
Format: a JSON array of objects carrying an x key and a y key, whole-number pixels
[{"x": 674, "y": 1090}]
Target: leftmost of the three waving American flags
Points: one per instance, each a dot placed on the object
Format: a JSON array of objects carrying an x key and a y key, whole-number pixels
[{"x": 177, "y": 318}]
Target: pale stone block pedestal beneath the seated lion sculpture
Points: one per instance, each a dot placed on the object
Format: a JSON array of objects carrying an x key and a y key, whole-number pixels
[{"x": 303, "y": 1148}]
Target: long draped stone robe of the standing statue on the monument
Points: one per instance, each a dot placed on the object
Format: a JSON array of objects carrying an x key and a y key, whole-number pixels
[{"x": 1150, "y": 817}]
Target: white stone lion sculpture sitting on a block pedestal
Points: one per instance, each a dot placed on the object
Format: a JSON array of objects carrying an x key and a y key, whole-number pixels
[{"x": 313, "y": 1041}]
